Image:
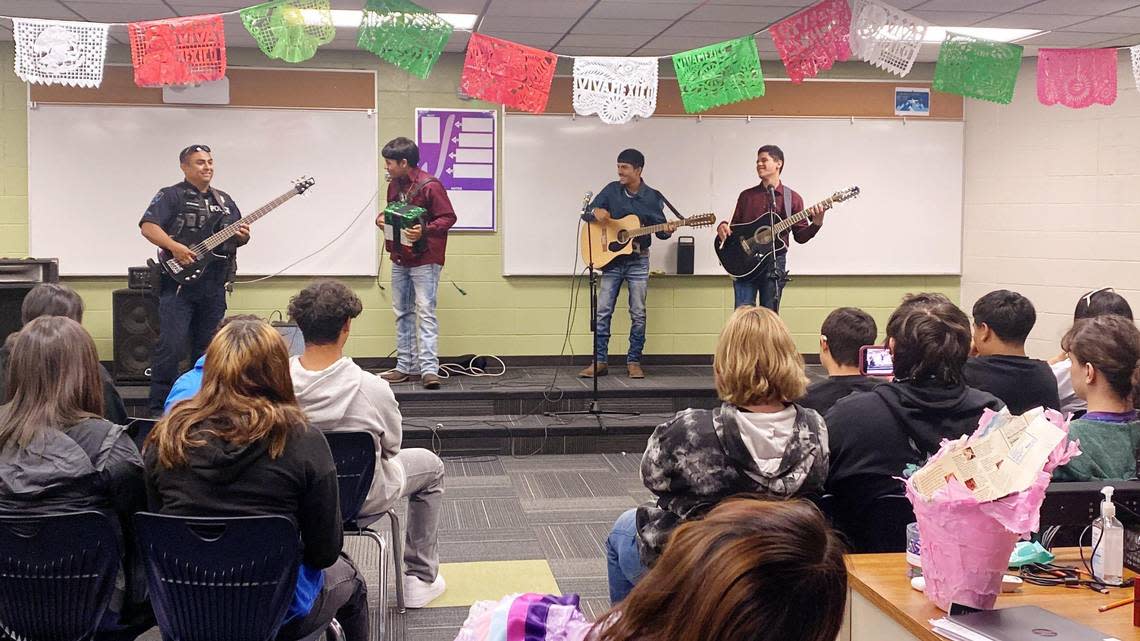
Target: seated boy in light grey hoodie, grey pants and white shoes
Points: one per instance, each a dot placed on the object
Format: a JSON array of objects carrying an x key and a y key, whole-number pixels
[{"x": 338, "y": 395}]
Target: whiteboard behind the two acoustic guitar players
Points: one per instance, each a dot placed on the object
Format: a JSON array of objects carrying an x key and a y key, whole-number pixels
[{"x": 907, "y": 221}]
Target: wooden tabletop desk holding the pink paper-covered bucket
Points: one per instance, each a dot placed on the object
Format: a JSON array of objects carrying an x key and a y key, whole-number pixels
[{"x": 883, "y": 606}]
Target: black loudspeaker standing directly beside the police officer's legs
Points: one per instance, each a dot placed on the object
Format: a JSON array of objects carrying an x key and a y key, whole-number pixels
[{"x": 135, "y": 329}]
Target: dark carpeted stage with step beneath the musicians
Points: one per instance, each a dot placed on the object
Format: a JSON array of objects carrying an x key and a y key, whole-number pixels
[{"x": 506, "y": 416}]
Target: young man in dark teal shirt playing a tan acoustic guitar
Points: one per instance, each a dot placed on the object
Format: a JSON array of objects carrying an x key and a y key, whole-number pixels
[{"x": 629, "y": 196}]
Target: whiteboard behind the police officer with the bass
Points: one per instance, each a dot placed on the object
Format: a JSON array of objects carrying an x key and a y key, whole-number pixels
[{"x": 93, "y": 172}]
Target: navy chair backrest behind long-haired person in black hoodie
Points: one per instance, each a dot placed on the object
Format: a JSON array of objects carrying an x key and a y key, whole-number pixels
[{"x": 219, "y": 579}]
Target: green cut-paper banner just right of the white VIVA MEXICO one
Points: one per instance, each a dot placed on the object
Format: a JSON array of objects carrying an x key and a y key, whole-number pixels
[{"x": 720, "y": 75}]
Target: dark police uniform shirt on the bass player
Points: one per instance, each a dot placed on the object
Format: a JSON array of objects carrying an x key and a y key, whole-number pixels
[{"x": 182, "y": 212}]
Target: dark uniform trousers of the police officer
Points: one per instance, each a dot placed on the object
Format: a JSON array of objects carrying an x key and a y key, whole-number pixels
[{"x": 188, "y": 320}]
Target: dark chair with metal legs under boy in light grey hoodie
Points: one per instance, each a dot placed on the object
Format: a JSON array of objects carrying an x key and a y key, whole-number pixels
[{"x": 355, "y": 456}]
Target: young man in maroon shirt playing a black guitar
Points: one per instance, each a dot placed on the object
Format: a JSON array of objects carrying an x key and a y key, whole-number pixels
[{"x": 770, "y": 197}]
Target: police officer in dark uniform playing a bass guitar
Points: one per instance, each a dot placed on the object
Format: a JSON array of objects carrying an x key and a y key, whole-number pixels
[{"x": 190, "y": 314}]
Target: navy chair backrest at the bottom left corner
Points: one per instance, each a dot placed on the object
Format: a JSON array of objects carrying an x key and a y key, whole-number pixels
[{"x": 58, "y": 574}]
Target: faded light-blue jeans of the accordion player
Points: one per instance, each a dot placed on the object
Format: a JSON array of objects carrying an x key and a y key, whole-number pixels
[{"x": 414, "y": 304}]
